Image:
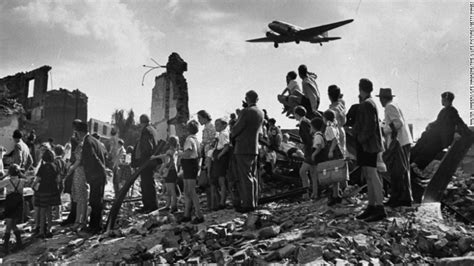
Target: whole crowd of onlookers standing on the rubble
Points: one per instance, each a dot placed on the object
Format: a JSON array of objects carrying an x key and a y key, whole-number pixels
[{"x": 227, "y": 157}]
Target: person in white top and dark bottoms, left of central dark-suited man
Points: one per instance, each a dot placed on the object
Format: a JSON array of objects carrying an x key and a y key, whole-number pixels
[{"x": 221, "y": 159}]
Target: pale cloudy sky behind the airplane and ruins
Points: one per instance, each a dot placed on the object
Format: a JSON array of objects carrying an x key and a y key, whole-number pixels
[{"x": 418, "y": 48}]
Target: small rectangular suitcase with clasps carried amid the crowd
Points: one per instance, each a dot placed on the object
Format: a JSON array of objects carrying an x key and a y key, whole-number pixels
[{"x": 334, "y": 171}]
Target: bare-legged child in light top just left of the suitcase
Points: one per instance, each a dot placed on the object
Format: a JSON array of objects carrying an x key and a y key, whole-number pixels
[{"x": 318, "y": 150}]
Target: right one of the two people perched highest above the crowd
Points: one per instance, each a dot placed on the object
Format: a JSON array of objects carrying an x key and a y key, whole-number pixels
[{"x": 310, "y": 89}]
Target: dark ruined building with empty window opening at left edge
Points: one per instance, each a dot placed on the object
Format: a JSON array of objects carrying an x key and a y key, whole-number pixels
[{"x": 50, "y": 113}]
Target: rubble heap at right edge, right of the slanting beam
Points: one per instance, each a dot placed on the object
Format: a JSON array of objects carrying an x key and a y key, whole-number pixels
[{"x": 460, "y": 194}]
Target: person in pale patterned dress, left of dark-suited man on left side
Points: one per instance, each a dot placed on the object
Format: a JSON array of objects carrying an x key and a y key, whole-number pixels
[{"x": 79, "y": 189}]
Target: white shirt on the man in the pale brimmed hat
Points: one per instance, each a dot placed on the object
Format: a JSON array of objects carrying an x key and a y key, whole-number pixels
[{"x": 394, "y": 115}]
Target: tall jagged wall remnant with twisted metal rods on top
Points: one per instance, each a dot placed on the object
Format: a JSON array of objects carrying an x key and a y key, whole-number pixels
[{"x": 169, "y": 106}]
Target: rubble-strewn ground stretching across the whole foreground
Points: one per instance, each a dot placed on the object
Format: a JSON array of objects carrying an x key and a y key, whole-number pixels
[{"x": 292, "y": 231}]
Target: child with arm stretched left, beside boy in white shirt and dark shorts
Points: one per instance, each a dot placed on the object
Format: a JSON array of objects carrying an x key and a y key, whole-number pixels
[{"x": 168, "y": 169}]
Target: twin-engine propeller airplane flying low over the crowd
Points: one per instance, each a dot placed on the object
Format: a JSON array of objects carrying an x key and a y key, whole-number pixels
[{"x": 282, "y": 32}]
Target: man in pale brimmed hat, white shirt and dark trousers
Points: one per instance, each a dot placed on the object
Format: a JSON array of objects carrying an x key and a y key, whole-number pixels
[{"x": 397, "y": 156}]
